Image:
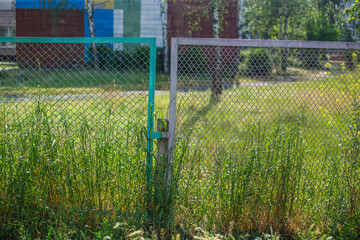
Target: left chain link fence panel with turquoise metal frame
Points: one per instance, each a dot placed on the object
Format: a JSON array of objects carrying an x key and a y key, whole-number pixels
[{"x": 75, "y": 113}]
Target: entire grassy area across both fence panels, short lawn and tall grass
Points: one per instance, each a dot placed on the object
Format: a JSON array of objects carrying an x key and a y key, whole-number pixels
[{"x": 75, "y": 168}]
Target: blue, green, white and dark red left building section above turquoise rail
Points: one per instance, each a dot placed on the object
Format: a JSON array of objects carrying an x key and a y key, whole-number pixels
[{"x": 112, "y": 18}]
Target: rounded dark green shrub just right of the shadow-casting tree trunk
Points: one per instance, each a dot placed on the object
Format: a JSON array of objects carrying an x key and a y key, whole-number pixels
[{"x": 259, "y": 63}]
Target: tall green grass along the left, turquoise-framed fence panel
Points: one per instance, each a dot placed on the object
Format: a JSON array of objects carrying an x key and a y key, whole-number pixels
[{"x": 60, "y": 179}]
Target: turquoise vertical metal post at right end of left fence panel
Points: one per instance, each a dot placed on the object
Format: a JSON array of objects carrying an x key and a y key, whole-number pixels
[{"x": 152, "y": 69}]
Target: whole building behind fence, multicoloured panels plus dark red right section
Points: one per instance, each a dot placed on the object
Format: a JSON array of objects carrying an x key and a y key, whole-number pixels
[{"x": 119, "y": 18}]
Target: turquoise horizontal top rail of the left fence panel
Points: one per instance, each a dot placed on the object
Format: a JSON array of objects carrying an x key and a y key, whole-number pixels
[{"x": 75, "y": 40}]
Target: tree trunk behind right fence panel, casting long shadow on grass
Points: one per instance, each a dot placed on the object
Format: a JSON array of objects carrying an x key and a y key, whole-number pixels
[{"x": 216, "y": 84}]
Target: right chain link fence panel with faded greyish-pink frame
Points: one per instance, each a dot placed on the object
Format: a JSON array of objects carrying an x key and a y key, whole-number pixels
[{"x": 268, "y": 133}]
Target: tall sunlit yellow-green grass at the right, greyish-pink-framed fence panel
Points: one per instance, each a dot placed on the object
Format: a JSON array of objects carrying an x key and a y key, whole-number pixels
[{"x": 277, "y": 157}]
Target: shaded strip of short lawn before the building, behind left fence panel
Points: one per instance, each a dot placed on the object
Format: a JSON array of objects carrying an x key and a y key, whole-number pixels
[{"x": 32, "y": 82}]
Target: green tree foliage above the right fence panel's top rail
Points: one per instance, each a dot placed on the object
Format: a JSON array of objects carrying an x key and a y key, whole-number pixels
[{"x": 320, "y": 20}]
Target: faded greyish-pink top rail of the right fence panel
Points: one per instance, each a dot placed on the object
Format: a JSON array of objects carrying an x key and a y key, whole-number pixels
[{"x": 266, "y": 43}]
